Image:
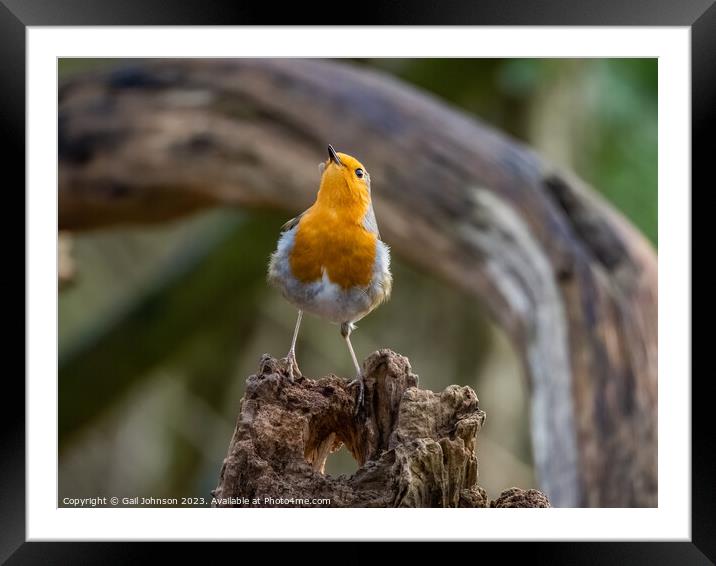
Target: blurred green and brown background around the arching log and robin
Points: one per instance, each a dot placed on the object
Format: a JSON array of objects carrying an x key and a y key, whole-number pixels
[{"x": 164, "y": 420}]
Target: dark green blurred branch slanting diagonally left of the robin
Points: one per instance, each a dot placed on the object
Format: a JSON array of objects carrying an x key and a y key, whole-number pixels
[{"x": 163, "y": 322}]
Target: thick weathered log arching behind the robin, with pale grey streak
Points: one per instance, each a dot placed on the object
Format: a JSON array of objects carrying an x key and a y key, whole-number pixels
[{"x": 569, "y": 279}]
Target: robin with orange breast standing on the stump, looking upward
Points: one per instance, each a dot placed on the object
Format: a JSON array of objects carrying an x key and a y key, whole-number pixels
[{"x": 330, "y": 260}]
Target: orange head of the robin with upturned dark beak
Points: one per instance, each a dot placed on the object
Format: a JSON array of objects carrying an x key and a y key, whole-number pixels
[{"x": 343, "y": 177}]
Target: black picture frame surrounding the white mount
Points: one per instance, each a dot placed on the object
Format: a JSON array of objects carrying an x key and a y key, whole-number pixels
[{"x": 17, "y": 15}]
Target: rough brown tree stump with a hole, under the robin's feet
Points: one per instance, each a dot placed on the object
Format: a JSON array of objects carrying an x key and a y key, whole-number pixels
[{"x": 416, "y": 448}]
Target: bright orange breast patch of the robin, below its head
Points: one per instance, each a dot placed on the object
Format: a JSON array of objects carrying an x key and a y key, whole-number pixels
[{"x": 334, "y": 242}]
